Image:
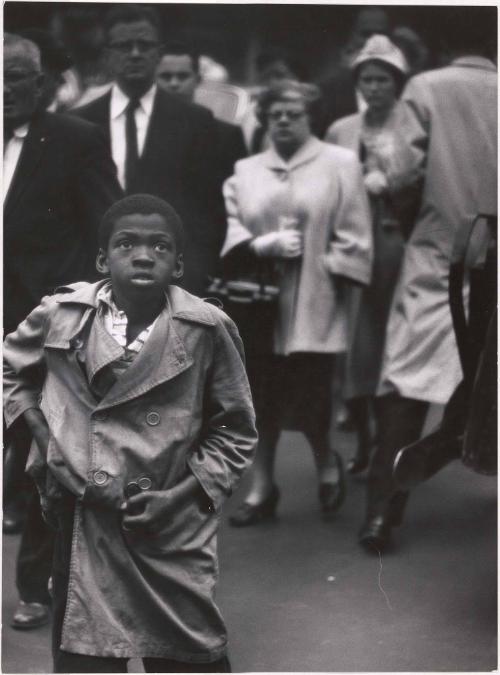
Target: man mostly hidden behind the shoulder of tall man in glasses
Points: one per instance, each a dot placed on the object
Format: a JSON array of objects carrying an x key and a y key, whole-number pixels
[{"x": 178, "y": 73}]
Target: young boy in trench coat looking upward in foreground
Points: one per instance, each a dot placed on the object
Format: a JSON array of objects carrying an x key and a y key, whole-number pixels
[{"x": 136, "y": 395}]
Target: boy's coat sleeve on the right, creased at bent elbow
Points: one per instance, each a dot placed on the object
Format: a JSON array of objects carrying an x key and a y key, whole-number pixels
[{"x": 228, "y": 444}]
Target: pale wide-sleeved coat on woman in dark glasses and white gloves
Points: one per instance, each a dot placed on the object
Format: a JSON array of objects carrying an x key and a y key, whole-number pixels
[{"x": 321, "y": 189}]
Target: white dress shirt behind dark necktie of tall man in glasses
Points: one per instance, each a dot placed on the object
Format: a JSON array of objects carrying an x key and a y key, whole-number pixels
[{"x": 119, "y": 103}]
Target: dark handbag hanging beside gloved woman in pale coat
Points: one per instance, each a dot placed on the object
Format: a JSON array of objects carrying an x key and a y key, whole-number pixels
[{"x": 251, "y": 301}]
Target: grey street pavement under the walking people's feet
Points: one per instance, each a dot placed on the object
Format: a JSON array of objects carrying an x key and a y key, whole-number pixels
[{"x": 298, "y": 594}]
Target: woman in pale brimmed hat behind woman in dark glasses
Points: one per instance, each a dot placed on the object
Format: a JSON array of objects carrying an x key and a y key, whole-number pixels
[{"x": 392, "y": 180}]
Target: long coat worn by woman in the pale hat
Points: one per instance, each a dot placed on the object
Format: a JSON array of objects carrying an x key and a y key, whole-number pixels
[{"x": 391, "y": 217}]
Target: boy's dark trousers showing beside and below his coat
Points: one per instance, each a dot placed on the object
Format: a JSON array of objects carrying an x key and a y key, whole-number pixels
[{"x": 65, "y": 662}]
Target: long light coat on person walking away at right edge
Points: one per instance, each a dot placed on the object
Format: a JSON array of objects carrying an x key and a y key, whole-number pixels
[{"x": 456, "y": 111}]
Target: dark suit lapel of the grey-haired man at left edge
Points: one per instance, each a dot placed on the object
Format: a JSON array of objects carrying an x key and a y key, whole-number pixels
[{"x": 34, "y": 146}]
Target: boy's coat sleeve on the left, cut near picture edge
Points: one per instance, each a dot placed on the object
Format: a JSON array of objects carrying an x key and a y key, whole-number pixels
[{"x": 24, "y": 366}]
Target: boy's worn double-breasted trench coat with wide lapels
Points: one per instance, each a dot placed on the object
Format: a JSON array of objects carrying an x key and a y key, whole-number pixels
[{"x": 183, "y": 405}]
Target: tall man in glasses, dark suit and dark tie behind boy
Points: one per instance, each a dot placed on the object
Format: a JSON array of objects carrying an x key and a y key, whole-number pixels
[{"x": 160, "y": 144}]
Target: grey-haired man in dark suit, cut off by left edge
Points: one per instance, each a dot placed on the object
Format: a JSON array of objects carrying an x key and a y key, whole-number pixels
[{"x": 58, "y": 181}]
